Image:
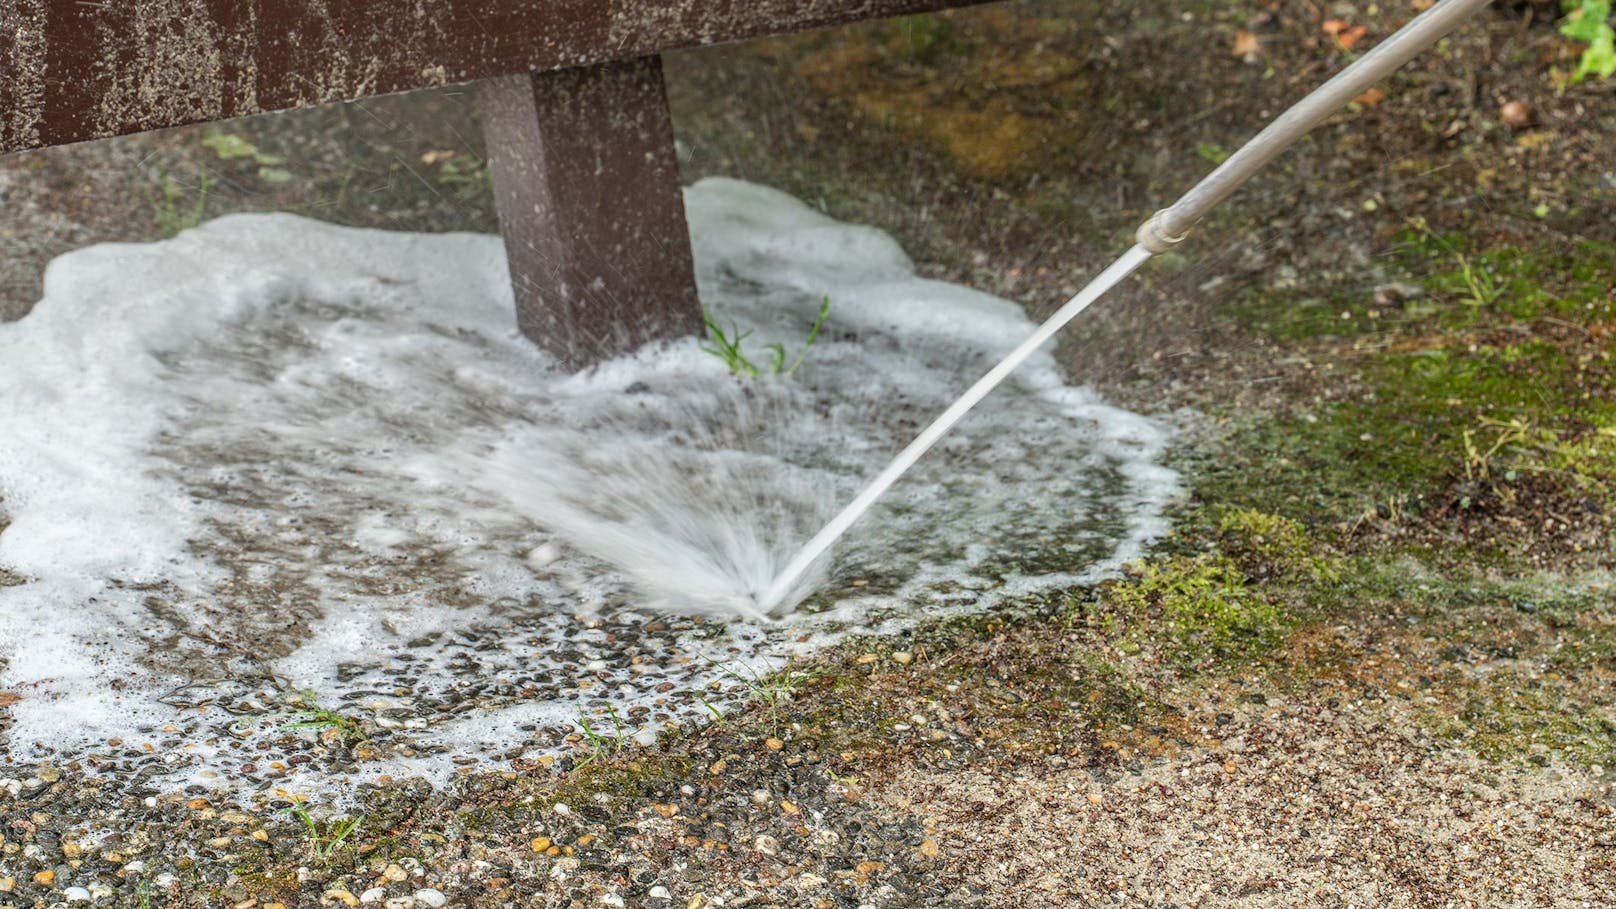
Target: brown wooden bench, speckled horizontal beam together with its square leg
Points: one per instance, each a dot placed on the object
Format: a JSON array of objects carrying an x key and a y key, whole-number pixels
[{"x": 571, "y": 98}]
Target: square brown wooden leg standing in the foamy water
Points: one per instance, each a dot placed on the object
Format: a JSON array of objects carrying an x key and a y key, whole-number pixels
[{"x": 594, "y": 221}]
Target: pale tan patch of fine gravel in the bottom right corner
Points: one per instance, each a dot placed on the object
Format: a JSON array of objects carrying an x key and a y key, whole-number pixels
[{"x": 1292, "y": 805}]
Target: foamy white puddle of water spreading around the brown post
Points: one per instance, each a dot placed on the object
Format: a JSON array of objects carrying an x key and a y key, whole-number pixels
[{"x": 274, "y": 457}]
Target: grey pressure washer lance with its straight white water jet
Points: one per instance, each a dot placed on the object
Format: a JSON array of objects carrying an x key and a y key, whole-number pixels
[{"x": 1158, "y": 235}]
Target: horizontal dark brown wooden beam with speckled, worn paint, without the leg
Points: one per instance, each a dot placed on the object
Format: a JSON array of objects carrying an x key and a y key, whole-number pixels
[{"x": 75, "y": 70}]
